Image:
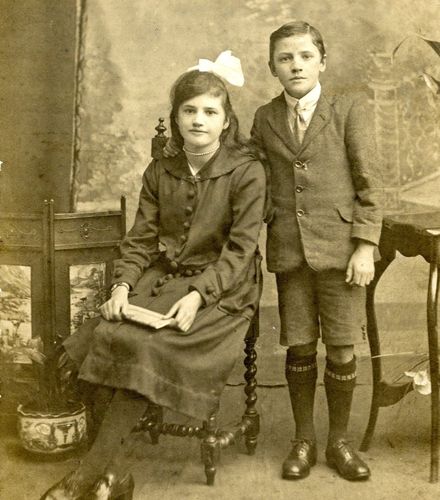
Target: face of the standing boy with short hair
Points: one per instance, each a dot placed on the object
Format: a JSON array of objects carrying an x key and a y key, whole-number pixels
[{"x": 297, "y": 64}]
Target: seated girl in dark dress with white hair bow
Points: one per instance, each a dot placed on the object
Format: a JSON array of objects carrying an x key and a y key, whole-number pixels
[{"x": 190, "y": 255}]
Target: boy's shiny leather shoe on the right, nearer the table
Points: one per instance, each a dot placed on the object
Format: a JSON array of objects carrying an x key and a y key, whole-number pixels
[{"x": 341, "y": 456}]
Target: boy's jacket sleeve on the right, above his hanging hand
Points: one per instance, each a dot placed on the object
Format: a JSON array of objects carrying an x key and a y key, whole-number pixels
[{"x": 366, "y": 172}]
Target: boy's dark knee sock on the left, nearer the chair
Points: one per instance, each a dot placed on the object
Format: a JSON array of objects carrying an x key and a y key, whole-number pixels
[{"x": 301, "y": 374}]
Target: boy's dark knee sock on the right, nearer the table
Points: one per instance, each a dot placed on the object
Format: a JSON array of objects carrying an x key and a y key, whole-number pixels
[{"x": 339, "y": 382}]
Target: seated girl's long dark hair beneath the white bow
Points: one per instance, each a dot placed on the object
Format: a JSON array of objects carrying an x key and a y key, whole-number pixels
[{"x": 194, "y": 83}]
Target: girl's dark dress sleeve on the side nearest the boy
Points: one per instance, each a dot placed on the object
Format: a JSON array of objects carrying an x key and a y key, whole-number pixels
[{"x": 238, "y": 252}]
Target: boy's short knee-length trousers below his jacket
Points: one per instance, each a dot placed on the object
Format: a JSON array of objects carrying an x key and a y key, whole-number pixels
[{"x": 311, "y": 301}]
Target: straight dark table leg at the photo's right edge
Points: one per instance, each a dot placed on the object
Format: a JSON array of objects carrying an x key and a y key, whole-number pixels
[{"x": 432, "y": 304}]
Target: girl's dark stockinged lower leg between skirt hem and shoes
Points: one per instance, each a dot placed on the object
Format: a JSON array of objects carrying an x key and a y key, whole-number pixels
[{"x": 123, "y": 412}]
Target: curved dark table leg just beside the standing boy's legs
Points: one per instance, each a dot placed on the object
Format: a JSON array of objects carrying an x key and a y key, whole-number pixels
[{"x": 374, "y": 343}]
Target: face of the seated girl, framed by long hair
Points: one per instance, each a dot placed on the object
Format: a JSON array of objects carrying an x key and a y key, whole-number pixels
[{"x": 201, "y": 120}]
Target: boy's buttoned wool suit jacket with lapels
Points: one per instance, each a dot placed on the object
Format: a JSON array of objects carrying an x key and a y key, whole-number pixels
[{"x": 324, "y": 193}]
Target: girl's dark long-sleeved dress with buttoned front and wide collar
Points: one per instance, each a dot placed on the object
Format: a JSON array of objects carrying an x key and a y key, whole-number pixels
[{"x": 190, "y": 233}]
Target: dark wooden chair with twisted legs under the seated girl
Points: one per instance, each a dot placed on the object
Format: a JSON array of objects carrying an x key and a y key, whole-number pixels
[{"x": 212, "y": 438}]
